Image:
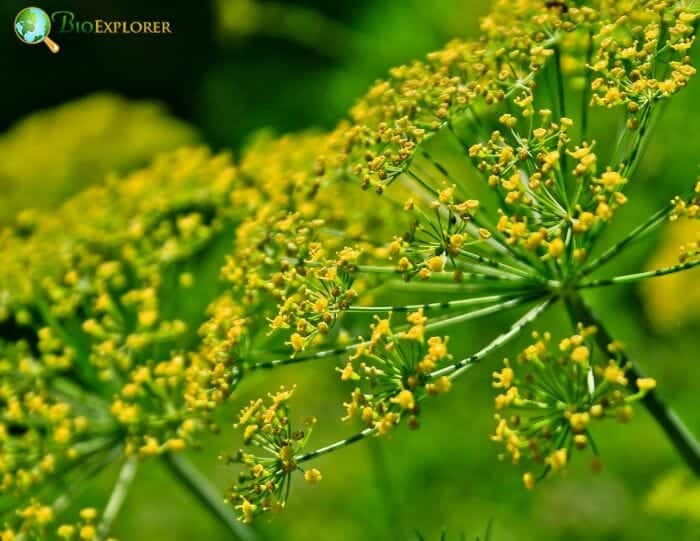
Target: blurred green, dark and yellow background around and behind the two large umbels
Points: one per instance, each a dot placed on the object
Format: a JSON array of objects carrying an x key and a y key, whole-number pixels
[{"x": 235, "y": 66}]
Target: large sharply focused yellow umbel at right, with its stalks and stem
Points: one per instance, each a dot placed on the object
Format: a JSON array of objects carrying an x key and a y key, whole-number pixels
[{"x": 518, "y": 214}]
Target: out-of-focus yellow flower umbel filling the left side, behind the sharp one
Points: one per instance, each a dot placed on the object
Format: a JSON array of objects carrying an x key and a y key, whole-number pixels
[{"x": 98, "y": 319}]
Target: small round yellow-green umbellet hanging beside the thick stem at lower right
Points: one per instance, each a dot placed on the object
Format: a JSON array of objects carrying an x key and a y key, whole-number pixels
[{"x": 549, "y": 400}]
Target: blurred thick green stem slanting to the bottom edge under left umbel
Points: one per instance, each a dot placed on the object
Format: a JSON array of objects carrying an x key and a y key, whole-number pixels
[{"x": 208, "y": 496}]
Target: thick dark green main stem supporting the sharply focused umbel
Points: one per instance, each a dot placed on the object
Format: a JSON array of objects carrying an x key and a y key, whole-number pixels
[{"x": 679, "y": 435}]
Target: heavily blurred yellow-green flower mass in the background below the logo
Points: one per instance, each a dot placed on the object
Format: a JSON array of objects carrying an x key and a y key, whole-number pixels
[{"x": 52, "y": 154}]
